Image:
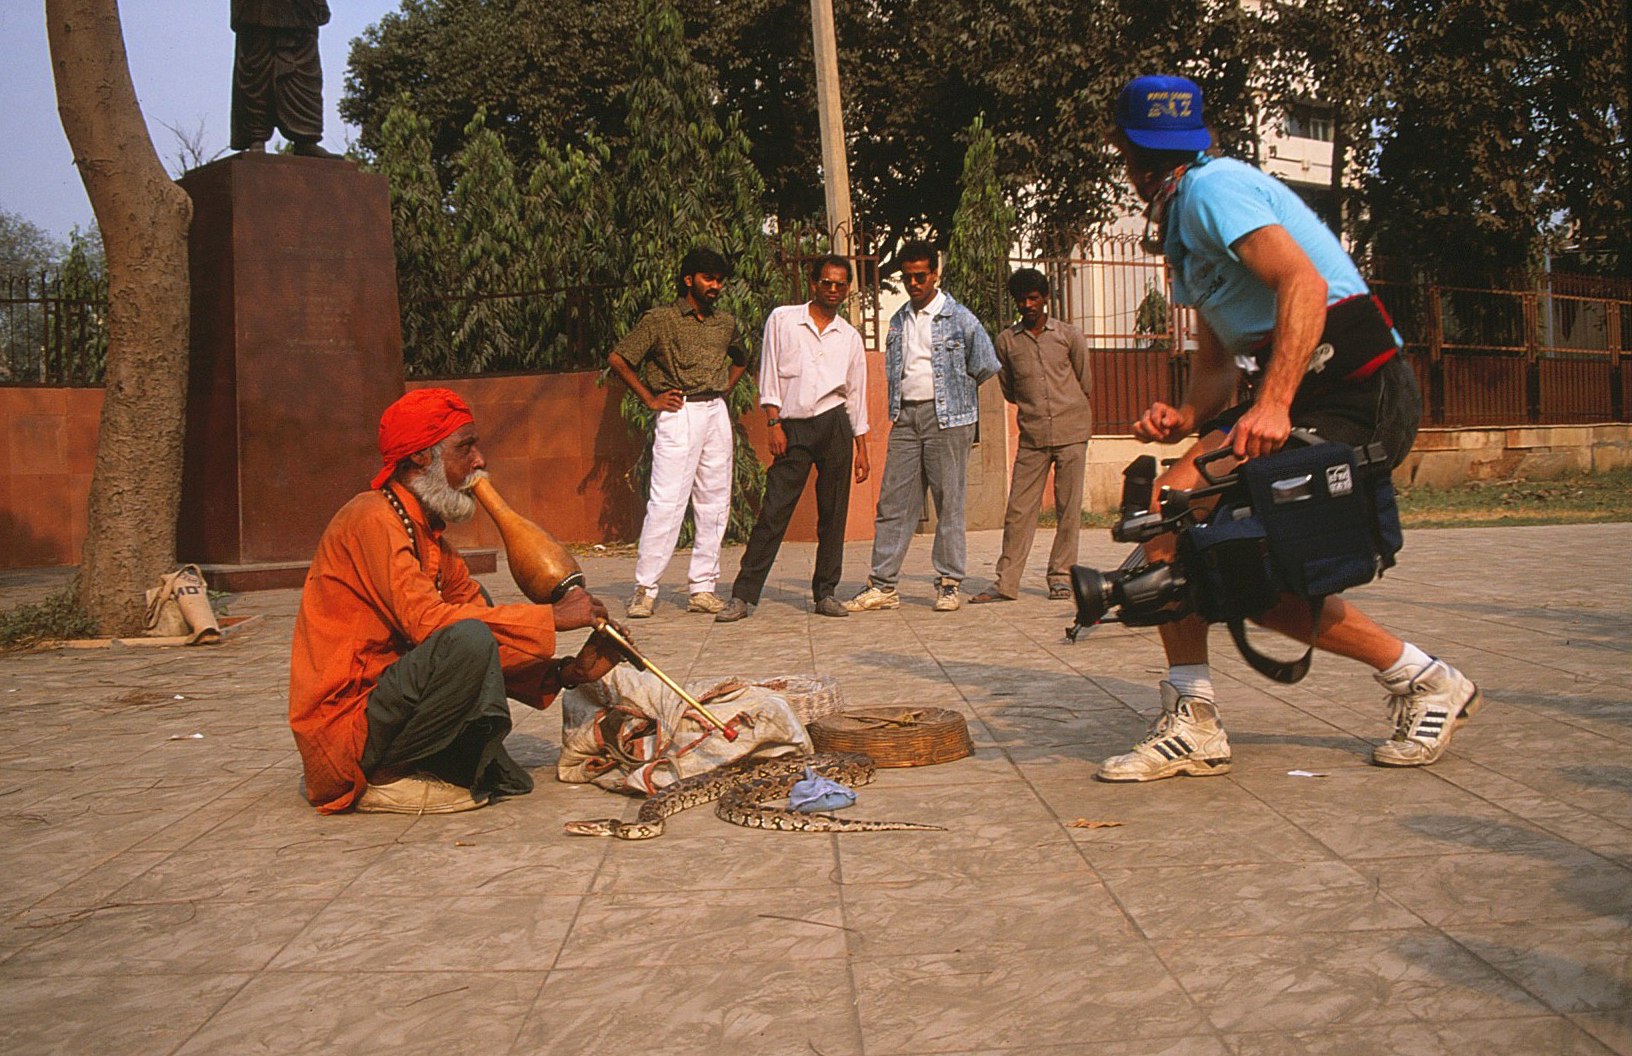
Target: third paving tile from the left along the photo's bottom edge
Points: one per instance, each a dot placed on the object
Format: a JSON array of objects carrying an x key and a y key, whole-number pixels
[{"x": 709, "y": 1009}]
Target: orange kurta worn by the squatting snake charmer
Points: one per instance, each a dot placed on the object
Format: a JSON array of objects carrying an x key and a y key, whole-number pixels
[{"x": 368, "y": 600}]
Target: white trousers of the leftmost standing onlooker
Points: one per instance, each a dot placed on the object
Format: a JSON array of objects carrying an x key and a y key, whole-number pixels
[{"x": 691, "y": 463}]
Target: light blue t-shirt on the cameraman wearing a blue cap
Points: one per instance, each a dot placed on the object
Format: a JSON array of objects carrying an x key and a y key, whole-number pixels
[{"x": 1222, "y": 202}]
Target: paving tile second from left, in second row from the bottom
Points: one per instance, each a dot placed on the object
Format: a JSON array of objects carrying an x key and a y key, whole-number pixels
[{"x": 432, "y": 934}]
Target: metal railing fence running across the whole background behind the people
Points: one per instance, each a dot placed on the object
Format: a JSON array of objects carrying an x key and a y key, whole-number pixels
[{"x": 1558, "y": 352}]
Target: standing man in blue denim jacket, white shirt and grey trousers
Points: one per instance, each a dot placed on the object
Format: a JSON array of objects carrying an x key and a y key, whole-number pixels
[{"x": 936, "y": 358}]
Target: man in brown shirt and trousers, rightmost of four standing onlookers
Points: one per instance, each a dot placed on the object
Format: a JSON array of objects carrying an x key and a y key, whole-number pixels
[{"x": 1045, "y": 373}]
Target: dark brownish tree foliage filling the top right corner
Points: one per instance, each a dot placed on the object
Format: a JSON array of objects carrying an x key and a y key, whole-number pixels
[{"x": 1507, "y": 117}]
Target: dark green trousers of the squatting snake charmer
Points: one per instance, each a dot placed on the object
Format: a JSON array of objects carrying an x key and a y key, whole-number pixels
[{"x": 441, "y": 708}]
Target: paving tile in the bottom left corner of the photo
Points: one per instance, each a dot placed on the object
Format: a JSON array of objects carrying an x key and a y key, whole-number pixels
[{"x": 128, "y": 1014}]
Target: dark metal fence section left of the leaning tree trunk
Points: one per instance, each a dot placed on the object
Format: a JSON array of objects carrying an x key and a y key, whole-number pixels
[{"x": 53, "y": 331}]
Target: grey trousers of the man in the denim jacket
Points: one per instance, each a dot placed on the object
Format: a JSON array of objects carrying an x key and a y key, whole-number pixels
[{"x": 921, "y": 455}]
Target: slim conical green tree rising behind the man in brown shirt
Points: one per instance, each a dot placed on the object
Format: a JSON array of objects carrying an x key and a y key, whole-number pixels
[{"x": 977, "y": 267}]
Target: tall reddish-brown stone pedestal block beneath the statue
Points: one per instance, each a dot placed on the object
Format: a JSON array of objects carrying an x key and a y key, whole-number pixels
[{"x": 296, "y": 352}]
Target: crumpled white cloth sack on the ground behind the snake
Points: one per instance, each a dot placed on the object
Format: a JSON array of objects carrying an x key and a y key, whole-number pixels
[{"x": 632, "y": 734}]
